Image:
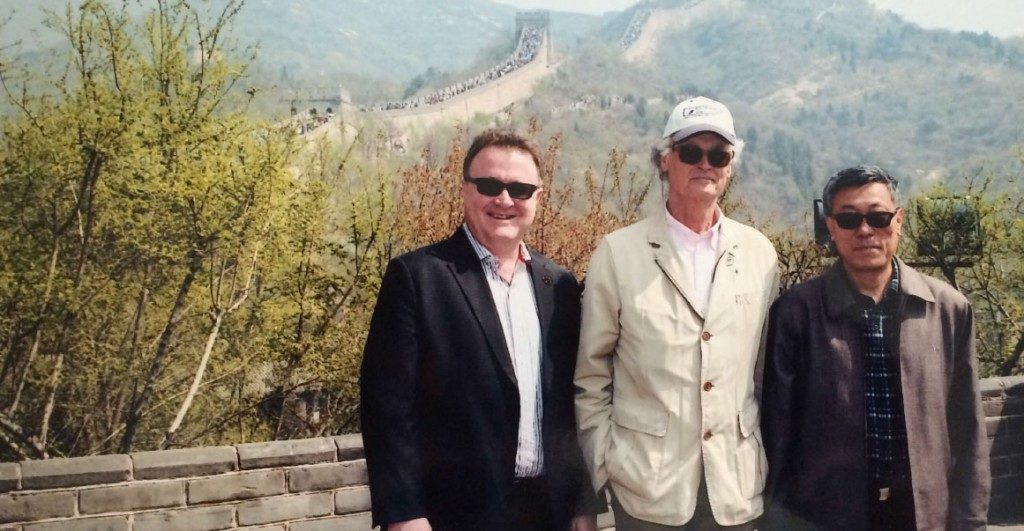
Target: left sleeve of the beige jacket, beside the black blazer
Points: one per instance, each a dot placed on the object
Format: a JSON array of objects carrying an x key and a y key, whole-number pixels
[{"x": 600, "y": 334}]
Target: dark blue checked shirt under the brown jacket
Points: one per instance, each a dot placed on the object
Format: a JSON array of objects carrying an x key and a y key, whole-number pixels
[{"x": 886, "y": 429}]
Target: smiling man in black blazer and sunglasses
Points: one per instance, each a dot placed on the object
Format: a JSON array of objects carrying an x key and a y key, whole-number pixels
[{"x": 467, "y": 375}]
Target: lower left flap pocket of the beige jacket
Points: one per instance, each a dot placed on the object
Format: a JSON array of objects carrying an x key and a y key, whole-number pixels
[{"x": 637, "y": 450}]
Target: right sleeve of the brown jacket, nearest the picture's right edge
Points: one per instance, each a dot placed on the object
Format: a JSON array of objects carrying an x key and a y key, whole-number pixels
[{"x": 970, "y": 479}]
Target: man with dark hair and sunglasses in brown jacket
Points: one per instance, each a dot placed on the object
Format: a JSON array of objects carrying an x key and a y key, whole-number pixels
[{"x": 871, "y": 411}]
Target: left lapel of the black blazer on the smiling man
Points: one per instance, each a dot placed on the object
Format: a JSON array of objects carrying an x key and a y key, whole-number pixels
[{"x": 468, "y": 274}]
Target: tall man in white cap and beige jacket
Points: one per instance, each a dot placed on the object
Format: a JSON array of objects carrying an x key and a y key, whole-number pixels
[{"x": 673, "y": 330}]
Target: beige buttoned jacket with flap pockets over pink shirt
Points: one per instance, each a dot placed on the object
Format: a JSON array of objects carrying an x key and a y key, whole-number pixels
[{"x": 665, "y": 393}]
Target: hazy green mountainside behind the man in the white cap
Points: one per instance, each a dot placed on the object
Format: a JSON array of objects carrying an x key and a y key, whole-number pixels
[{"x": 816, "y": 86}]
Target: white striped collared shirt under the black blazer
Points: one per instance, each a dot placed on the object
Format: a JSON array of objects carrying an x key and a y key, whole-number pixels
[{"x": 518, "y": 312}]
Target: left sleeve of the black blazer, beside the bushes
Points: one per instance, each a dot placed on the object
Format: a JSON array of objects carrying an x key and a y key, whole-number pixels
[{"x": 388, "y": 386}]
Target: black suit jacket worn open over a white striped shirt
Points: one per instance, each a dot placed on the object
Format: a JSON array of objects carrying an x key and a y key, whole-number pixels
[{"x": 440, "y": 402}]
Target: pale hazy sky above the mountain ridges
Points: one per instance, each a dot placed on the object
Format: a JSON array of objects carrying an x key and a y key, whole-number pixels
[{"x": 1000, "y": 18}]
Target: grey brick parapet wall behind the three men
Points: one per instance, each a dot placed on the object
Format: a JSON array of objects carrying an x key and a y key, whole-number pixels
[{"x": 314, "y": 484}]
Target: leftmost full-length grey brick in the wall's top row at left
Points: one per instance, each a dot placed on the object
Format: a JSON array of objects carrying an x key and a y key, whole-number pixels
[{"x": 96, "y": 470}]
